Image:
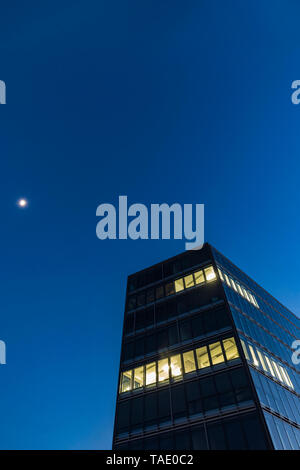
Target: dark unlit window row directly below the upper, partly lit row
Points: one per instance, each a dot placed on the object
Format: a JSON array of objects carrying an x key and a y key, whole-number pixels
[{"x": 171, "y": 308}]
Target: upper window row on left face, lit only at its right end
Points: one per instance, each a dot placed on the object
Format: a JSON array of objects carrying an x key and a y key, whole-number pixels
[{"x": 173, "y": 287}]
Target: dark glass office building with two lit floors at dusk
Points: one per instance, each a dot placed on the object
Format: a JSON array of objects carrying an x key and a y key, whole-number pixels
[{"x": 206, "y": 360}]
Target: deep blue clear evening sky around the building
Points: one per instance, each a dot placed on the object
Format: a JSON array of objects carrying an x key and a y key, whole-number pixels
[{"x": 167, "y": 101}]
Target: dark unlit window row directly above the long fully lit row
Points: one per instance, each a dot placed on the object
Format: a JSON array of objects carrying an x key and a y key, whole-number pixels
[{"x": 188, "y": 329}]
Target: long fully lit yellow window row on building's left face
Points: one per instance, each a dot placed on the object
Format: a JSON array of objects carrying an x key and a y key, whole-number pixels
[{"x": 174, "y": 367}]
